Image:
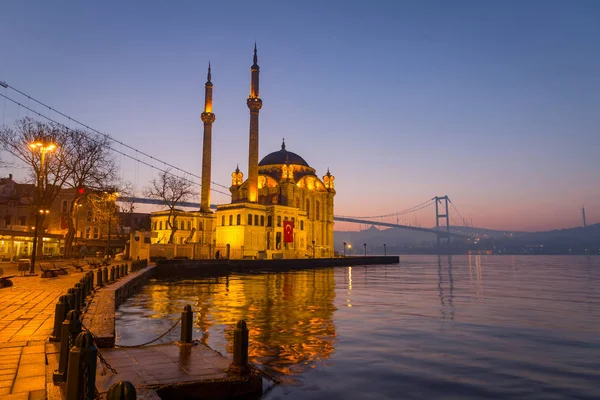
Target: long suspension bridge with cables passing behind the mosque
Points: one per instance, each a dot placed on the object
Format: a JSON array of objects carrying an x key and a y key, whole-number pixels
[{"x": 391, "y": 220}]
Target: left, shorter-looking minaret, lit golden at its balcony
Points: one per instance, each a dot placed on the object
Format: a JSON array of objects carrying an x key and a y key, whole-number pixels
[{"x": 208, "y": 118}]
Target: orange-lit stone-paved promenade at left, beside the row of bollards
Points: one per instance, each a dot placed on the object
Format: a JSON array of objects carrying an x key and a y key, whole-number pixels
[{"x": 26, "y": 322}]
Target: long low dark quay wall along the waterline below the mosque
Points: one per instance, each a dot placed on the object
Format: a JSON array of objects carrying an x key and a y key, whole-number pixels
[{"x": 189, "y": 268}]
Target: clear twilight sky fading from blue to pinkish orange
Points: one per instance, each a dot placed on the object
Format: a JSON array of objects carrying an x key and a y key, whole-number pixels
[{"x": 496, "y": 104}]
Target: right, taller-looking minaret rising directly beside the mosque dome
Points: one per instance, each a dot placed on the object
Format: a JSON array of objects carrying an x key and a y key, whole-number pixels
[{"x": 254, "y": 104}]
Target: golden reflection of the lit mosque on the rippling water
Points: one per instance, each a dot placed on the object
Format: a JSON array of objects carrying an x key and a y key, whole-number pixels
[{"x": 289, "y": 315}]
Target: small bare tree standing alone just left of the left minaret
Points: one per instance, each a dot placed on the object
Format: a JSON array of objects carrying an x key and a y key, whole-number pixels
[{"x": 171, "y": 190}]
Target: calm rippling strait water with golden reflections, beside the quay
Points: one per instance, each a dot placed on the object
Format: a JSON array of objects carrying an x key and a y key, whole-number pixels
[{"x": 429, "y": 328}]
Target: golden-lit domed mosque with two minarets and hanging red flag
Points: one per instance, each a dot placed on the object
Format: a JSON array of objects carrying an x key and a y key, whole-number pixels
[{"x": 281, "y": 210}]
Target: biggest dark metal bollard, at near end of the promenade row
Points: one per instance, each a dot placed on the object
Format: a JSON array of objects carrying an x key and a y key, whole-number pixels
[{"x": 81, "y": 374}]
